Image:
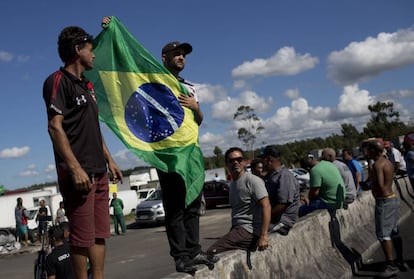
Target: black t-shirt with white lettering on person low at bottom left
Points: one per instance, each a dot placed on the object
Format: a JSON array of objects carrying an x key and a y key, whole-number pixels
[{"x": 58, "y": 263}]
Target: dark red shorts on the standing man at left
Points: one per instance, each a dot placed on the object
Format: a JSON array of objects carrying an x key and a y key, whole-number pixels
[{"x": 88, "y": 213}]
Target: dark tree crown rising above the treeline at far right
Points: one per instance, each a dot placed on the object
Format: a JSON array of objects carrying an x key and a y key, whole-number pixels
[{"x": 385, "y": 122}]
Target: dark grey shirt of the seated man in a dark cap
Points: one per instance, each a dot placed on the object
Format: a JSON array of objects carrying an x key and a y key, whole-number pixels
[{"x": 283, "y": 188}]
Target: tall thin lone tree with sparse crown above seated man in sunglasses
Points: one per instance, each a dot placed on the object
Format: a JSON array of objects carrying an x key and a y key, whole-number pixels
[{"x": 252, "y": 126}]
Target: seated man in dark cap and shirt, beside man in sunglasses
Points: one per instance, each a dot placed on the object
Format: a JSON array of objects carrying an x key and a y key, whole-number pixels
[{"x": 283, "y": 189}]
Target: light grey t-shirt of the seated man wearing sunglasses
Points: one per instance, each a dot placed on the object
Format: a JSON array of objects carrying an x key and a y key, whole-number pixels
[{"x": 245, "y": 194}]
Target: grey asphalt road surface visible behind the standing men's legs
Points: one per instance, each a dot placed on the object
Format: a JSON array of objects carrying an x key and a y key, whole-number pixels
[{"x": 142, "y": 253}]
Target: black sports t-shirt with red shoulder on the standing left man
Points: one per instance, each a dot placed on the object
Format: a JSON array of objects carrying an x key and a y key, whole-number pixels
[{"x": 66, "y": 95}]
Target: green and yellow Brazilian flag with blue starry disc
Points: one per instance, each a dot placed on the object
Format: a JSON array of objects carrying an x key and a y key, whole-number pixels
[{"x": 137, "y": 100}]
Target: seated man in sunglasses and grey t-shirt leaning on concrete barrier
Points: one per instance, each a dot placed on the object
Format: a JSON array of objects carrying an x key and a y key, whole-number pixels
[{"x": 250, "y": 209}]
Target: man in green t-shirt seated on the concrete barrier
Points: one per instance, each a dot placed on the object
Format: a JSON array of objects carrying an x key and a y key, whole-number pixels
[{"x": 327, "y": 188}]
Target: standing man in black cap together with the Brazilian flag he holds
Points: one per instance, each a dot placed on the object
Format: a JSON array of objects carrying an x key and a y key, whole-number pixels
[{"x": 156, "y": 114}]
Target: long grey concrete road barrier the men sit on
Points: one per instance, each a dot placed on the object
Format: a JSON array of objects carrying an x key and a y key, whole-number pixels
[{"x": 320, "y": 245}]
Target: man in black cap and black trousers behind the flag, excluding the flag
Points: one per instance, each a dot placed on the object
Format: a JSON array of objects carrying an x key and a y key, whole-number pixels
[{"x": 181, "y": 222}]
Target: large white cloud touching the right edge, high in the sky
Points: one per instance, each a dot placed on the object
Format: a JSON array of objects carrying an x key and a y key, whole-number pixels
[{"x": 360, "y": 61}]
